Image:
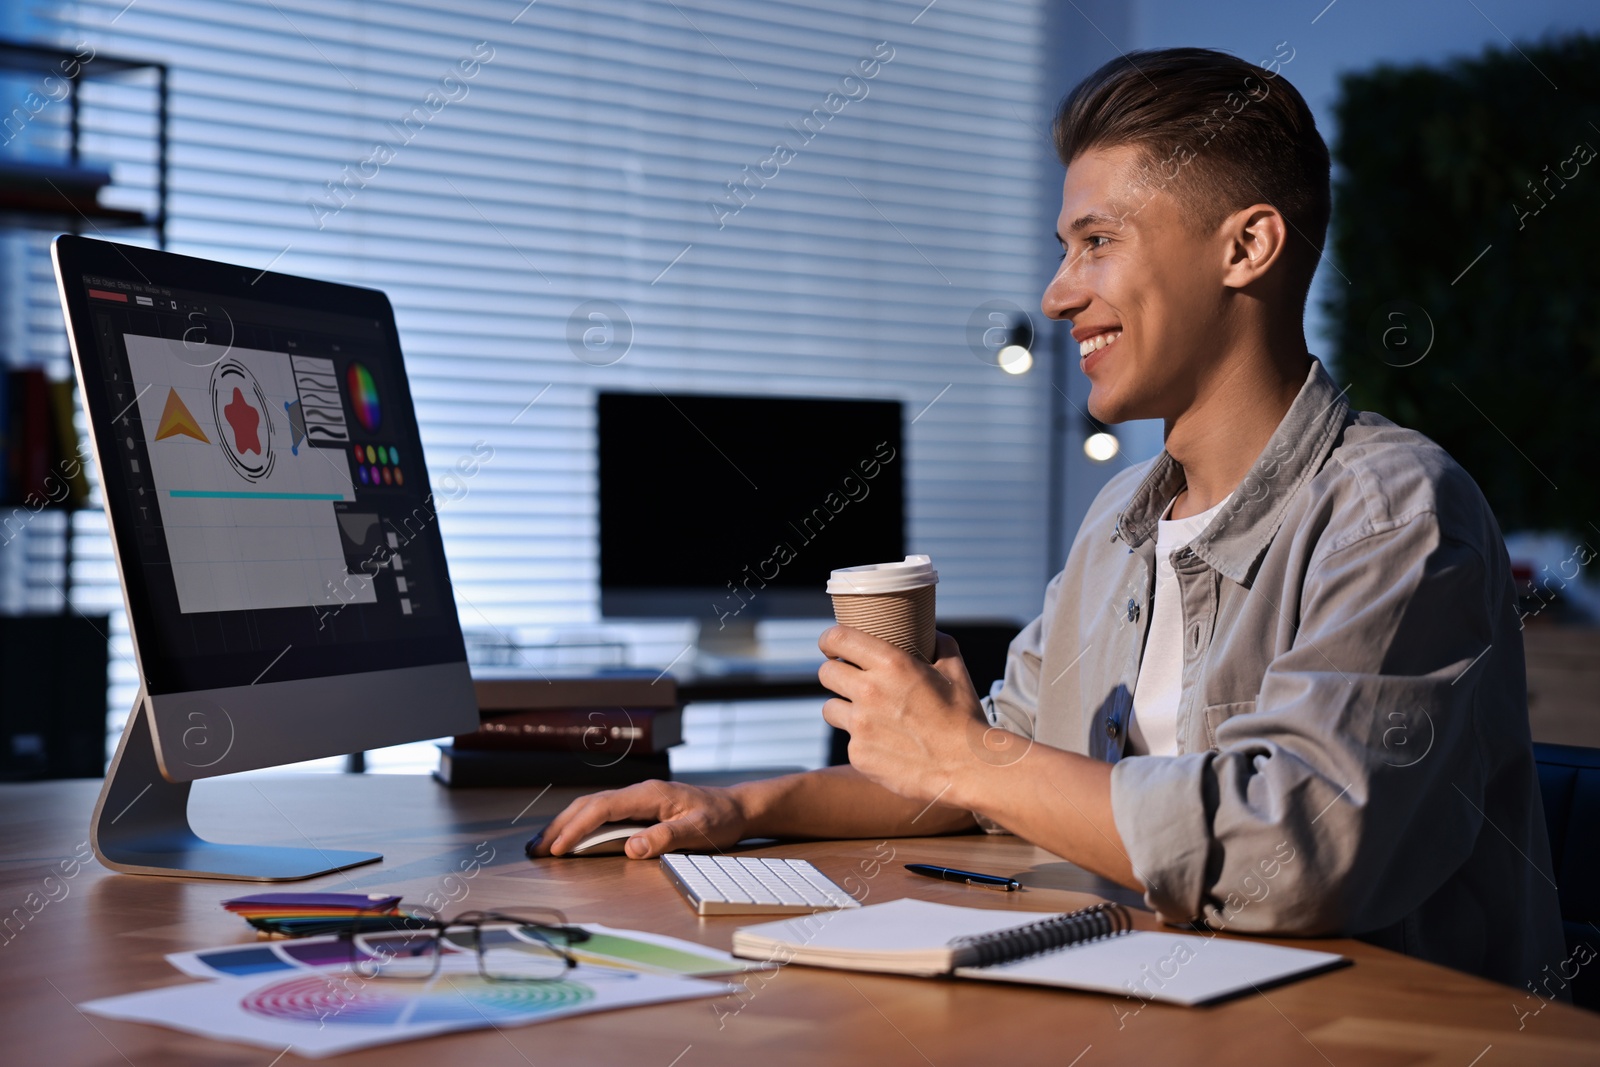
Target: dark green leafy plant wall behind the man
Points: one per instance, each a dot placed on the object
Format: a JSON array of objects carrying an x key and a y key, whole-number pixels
[{"x": 1468, "y": 226}]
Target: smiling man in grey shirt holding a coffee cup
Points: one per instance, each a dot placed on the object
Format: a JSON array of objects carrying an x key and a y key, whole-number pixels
[{"x": 1279, "y": 685}]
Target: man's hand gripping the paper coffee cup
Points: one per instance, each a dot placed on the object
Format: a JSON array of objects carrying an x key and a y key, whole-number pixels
[{"x": 911, "y": 724}]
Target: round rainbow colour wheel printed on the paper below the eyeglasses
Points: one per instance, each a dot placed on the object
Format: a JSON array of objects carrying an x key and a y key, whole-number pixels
[{"x": 322, "y": 1001}]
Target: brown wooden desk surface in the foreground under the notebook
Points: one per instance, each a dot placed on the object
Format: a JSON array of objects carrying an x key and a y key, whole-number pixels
[{"x": 111, "y": 932}]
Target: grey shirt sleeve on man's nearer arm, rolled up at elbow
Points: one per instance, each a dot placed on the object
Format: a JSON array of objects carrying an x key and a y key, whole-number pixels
[{"x": 1337, "y": 804}]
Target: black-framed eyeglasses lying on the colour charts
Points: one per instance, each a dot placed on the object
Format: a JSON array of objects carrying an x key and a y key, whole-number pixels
[{"x": 519, "y": 946}]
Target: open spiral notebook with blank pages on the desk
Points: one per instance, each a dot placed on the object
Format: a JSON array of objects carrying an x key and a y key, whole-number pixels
[{"x": 1094, "y": 949}]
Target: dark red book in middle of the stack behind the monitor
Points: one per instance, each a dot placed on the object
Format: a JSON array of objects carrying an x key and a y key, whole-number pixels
[{"x": 602, "y": 732}]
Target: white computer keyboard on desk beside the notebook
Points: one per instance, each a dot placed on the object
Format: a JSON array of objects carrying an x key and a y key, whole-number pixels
[{"x": 746, "y": 885}]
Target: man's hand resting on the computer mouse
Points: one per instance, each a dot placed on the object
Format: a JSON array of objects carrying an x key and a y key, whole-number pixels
[{"x": 686, "y": 818}]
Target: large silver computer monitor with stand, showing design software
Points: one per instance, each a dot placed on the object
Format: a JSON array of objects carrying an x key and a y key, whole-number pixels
[{"x": 274, "y": 532}]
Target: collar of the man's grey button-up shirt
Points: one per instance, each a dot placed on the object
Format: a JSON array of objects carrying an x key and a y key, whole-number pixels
[{"x": 1238, "y": 538}]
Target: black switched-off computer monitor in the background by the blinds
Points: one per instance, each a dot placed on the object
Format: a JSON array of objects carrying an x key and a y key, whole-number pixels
[{"x": 732, "y": 510}]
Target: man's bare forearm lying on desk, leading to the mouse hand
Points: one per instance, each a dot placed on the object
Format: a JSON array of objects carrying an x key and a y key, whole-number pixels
[{"x": 839, "y": 802}]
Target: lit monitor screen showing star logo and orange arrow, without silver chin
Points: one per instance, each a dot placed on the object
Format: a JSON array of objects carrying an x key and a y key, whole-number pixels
[{"x": 262, "y": 470}]
